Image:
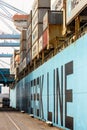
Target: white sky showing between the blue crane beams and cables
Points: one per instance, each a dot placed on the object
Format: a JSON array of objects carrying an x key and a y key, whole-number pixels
[{"x": 24, "y": 5}]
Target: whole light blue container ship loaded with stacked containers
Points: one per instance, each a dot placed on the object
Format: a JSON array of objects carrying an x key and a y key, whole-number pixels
[{"x": 51, "y": 66}]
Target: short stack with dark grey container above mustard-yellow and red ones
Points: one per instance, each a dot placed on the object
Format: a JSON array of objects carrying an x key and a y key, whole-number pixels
[{"x": 52, "y": 28}]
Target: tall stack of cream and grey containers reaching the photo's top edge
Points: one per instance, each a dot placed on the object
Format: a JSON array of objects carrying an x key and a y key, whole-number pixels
[{"x": 38, "y": 11}]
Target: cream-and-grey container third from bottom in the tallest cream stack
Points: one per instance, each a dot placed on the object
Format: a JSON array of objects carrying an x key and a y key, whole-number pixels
[{"x": 38, "y": 17}]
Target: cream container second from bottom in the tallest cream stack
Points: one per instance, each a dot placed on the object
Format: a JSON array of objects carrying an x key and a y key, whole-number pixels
[{"x": 37, "y": 32}]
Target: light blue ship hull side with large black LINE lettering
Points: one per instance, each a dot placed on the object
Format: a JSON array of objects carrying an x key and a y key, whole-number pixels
[{"x": 57, "y": 90}]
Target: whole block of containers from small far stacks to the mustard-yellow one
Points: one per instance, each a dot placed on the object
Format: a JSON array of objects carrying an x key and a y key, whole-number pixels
[{"x": 43, "y": 26}]
